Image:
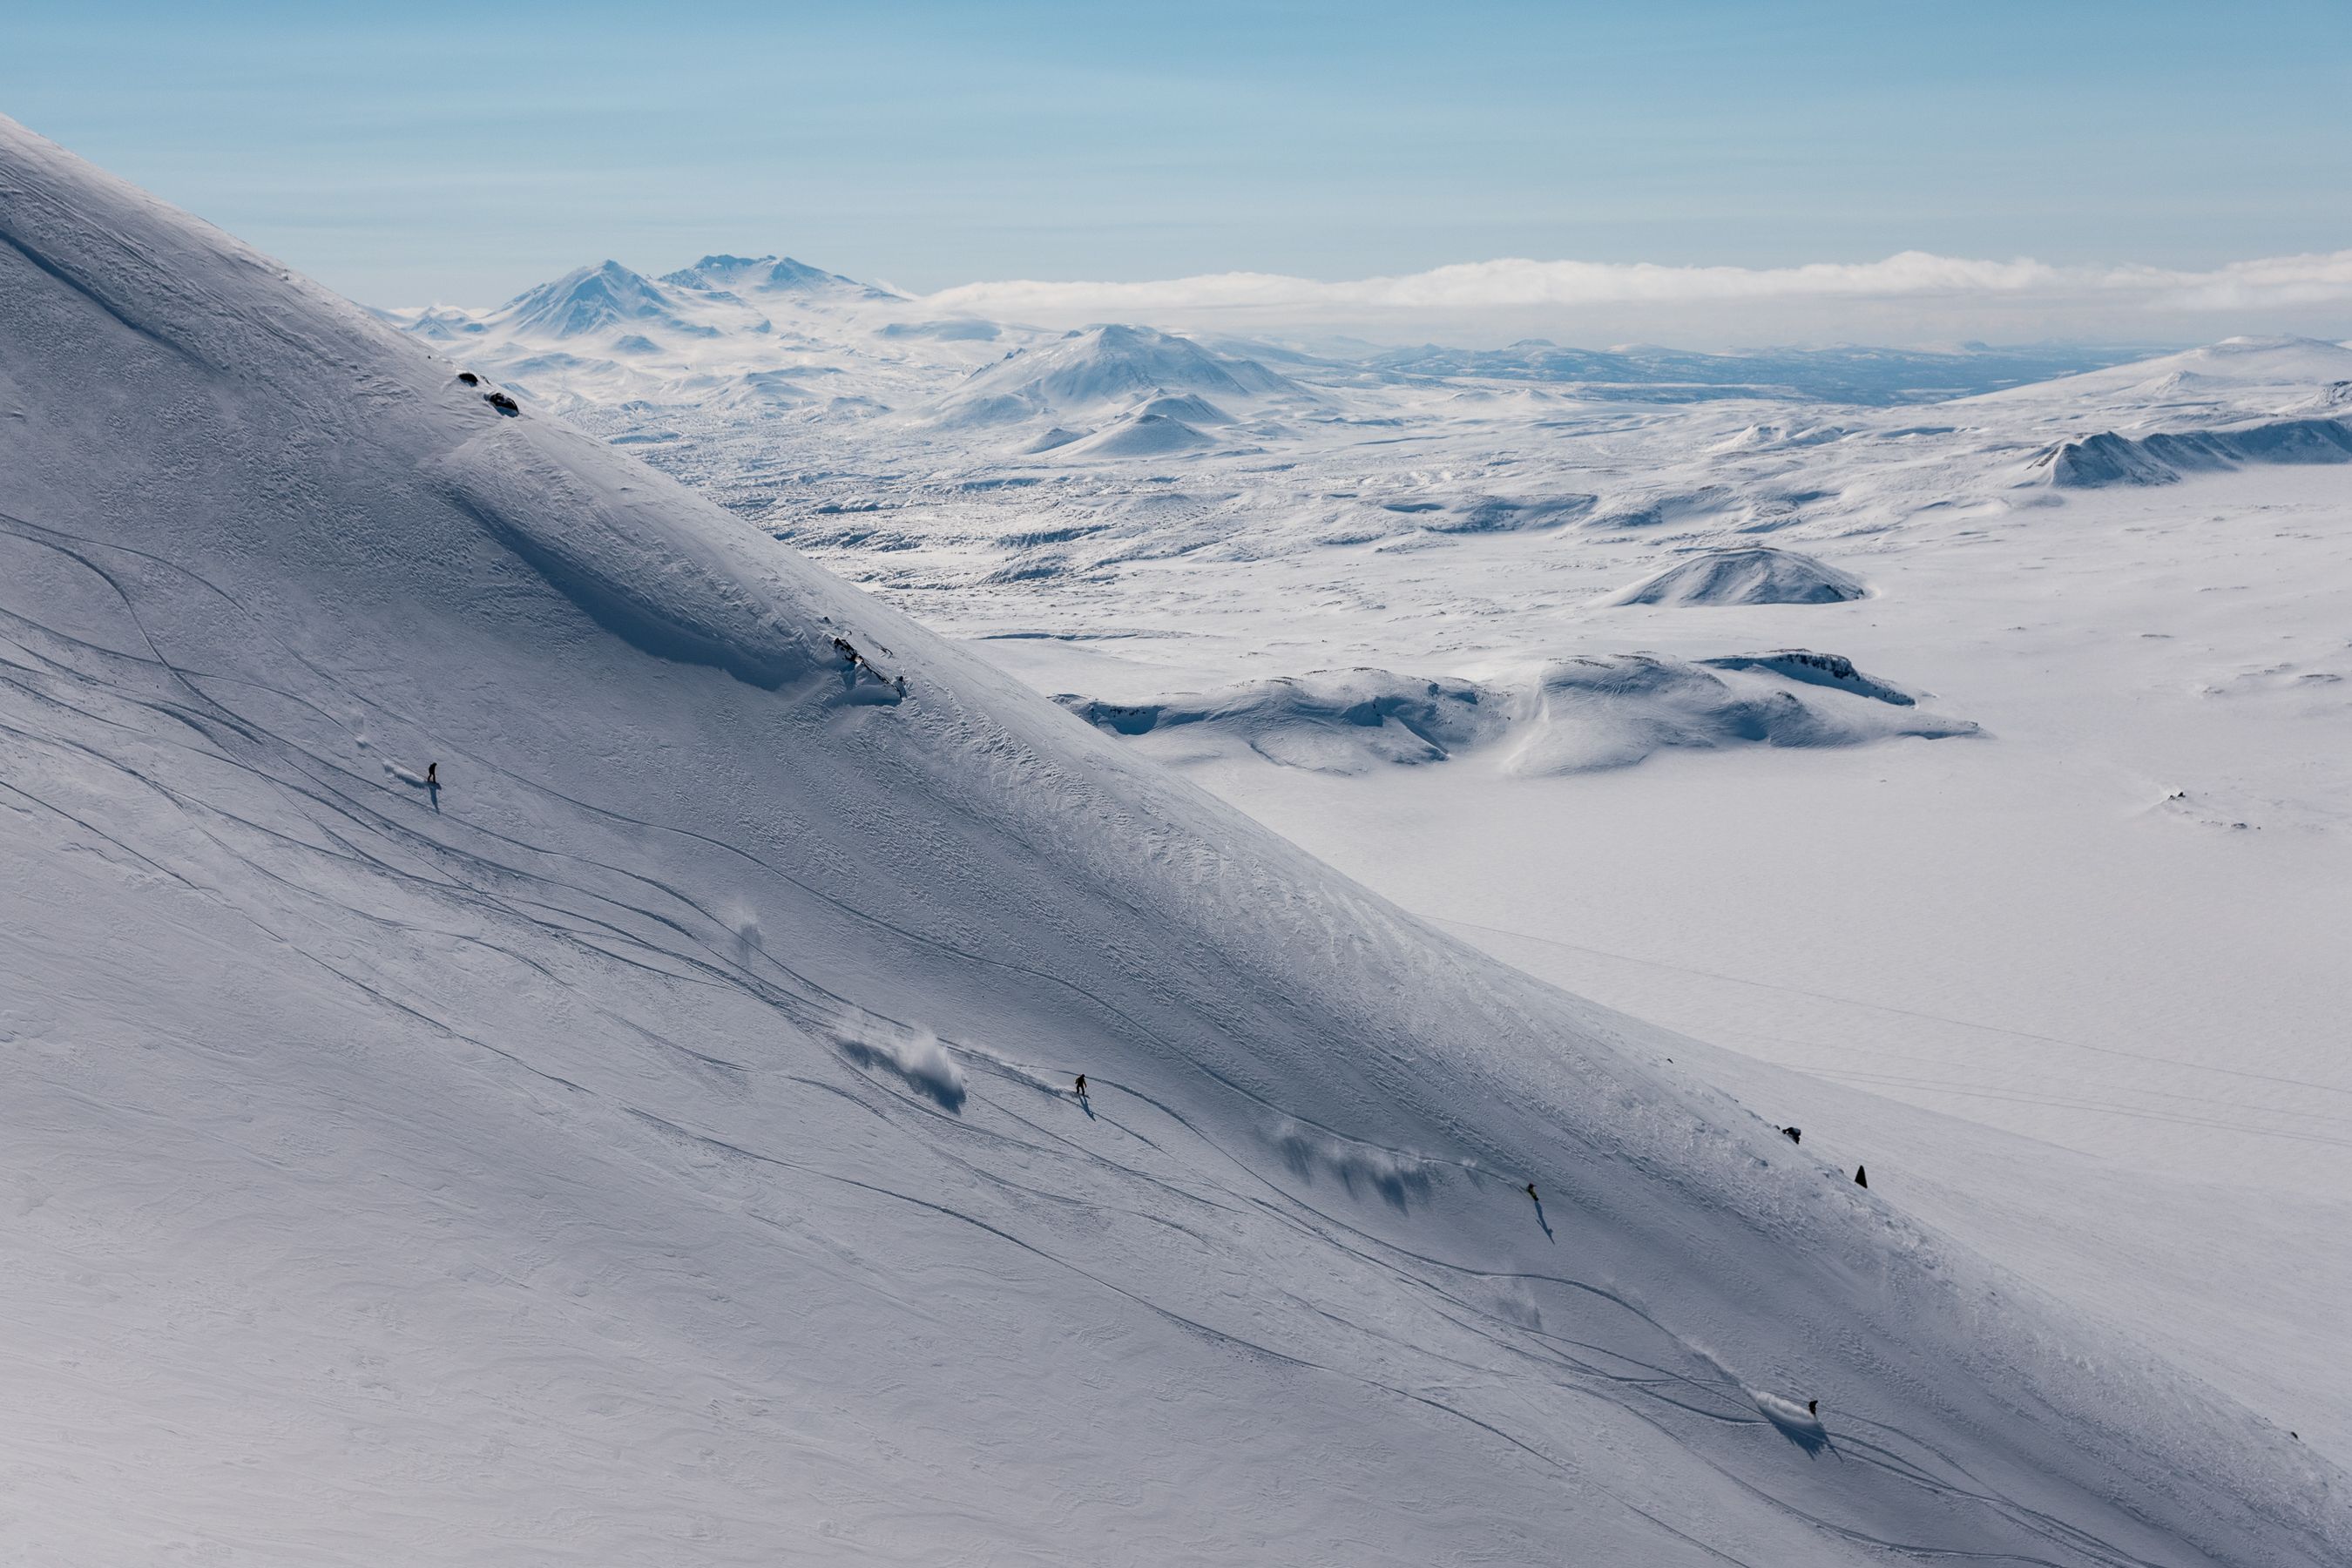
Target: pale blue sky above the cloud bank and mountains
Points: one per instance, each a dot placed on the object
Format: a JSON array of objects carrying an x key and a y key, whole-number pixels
[{"x": 462, "y": 154}]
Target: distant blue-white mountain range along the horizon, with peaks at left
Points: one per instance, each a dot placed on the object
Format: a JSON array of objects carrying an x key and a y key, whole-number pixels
[{"x": 702, "y": 333}]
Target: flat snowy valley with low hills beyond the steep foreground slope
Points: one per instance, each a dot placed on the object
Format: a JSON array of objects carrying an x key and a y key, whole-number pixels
[{"x": 2090, "y": 944}]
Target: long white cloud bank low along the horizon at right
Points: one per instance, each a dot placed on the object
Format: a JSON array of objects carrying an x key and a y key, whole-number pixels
[{"x": 1913, "y": 286}]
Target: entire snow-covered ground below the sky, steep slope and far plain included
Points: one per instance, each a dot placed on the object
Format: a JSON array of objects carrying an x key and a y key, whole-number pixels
[{"x": 563, "y": 864}]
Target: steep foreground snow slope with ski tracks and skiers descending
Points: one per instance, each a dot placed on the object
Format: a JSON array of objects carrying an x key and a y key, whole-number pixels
[{"x": 648, "y": 1139}]
